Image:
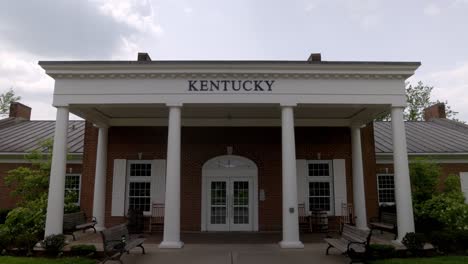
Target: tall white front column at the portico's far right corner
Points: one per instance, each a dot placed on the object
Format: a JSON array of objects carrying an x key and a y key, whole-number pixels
[{"x": 404, "y": 205}]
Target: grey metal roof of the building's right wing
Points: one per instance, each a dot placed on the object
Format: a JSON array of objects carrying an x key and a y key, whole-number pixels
[{"x": 438, "y": 136}]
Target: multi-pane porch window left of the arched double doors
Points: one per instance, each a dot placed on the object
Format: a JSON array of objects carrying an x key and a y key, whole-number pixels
[{"x": 139, "y": 185}]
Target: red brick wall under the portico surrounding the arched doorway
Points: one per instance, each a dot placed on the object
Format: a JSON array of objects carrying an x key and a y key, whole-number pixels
[{"x": 262, "y": 145}]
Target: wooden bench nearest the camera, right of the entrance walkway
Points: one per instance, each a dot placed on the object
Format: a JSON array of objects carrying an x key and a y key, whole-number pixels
[{"x": 353, "y": 242}]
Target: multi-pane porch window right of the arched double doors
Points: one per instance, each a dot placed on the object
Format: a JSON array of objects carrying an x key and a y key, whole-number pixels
[{"x": 320, "y": 183}]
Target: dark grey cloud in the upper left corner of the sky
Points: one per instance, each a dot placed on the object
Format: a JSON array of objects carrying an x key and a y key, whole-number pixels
[{"x": 59, "y": 29}]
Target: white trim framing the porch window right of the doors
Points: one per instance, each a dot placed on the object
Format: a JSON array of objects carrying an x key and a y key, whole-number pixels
[{"x": 329, "y": 179}]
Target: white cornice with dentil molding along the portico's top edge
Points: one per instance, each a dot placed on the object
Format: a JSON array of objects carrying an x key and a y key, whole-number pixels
[{"x": 54, "y": 70}]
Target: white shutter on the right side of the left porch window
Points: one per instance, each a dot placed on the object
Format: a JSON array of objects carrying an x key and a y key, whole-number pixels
[{"x": 158, "y": 181}]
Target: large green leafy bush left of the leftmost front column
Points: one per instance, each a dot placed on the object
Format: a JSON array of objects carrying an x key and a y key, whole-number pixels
[{"x": 24, "y": 225}]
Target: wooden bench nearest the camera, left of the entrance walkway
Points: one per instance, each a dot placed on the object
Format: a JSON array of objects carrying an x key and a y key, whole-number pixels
[{"x": 116, "y": 241}]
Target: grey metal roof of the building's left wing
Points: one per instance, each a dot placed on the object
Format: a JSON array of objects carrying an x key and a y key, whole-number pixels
[{"x": 26, "y": 136}]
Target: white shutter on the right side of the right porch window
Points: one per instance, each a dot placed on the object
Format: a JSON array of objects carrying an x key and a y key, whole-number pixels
[{"x": 339, "y": 184}]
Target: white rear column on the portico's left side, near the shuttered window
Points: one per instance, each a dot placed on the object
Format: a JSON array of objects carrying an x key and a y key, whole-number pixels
[{"x": 99, "y": 199}]
